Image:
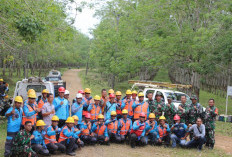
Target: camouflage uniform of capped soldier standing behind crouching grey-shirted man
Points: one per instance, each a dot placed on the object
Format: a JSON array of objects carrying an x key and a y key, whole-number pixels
[{"x": 195, "y": 113}]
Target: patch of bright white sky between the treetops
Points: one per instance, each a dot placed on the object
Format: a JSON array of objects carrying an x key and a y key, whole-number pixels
[{"x": 85, "y": 20}]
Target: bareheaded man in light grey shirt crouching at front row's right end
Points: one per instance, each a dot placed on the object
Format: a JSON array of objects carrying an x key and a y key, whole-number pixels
[{"x": 198, "y": 135}]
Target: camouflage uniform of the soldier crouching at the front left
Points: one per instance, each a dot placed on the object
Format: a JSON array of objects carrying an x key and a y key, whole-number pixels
[{"x": 22, "y": 145}]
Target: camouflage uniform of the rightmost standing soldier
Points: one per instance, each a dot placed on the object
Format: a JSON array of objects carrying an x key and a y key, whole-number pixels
[{"x": 209, "y": 119}]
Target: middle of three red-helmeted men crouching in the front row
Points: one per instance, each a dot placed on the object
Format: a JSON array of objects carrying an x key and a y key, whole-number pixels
[{"x": 138, "y": 131}]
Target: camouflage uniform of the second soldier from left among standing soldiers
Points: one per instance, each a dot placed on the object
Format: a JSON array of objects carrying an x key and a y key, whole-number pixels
[{"x": 170, "y": 112}]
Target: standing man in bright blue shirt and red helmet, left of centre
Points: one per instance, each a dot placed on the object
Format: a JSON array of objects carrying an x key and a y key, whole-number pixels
[{"x": 61, "y": 107}]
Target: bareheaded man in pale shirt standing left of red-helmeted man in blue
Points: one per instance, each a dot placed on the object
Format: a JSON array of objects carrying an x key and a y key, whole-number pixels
[{"x": 48, "y": 110}]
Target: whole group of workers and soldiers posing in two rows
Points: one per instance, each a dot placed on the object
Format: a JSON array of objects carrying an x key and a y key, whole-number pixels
[{"x": 47, "y": 125}]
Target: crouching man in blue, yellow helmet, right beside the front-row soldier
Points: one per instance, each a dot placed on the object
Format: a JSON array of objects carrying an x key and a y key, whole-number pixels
[{"x": 38, "y": 144}]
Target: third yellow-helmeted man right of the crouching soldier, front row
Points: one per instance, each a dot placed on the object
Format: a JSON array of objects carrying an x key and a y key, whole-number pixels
[{"x": 66, "y": 137}]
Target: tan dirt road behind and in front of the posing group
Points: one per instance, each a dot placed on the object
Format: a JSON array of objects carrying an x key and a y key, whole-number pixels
[{"x": 74, "y": 84}]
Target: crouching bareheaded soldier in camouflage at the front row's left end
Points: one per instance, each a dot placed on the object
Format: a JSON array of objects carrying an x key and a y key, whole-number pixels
[{"x": 22, "y": 142}]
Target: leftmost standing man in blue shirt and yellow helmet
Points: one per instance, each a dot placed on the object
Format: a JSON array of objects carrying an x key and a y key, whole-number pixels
[{"x": 14, "y": 120}]
